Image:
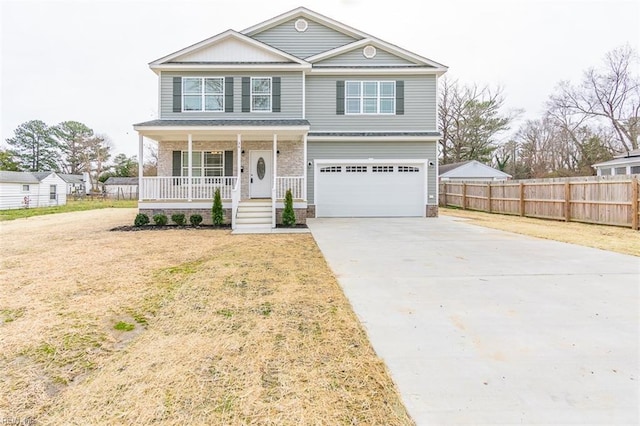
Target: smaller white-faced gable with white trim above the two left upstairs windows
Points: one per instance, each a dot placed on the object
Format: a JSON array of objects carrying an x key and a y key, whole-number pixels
[{"x": 227, "y": 48}]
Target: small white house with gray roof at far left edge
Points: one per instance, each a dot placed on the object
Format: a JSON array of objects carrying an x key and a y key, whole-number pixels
[{"x": 28, "y": 190}]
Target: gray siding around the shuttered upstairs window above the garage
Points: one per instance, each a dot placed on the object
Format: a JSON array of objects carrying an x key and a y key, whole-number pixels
[{"x": 419, "y": 106}]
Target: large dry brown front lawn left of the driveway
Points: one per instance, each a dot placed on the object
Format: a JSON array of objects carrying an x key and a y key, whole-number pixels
[{"x": 246, "y": 329}]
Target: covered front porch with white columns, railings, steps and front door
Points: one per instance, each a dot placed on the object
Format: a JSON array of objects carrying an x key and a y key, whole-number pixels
[{"x": 194, "y": 161}]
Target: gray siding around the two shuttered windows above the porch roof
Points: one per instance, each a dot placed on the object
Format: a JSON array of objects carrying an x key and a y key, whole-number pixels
[{"x": 290, "y": 96}]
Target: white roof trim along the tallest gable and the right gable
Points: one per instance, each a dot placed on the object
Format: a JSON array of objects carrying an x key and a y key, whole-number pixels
[{"x": 362, "y": 37}]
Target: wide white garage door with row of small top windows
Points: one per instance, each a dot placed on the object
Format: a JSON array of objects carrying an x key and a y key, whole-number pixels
[{"x": 384, "y": 189}]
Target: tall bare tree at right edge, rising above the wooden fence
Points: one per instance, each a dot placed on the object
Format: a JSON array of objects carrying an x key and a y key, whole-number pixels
[{"x": 610, "y": 95}]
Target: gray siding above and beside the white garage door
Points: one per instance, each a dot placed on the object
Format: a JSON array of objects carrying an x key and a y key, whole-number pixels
[{"x": 318, "y": 150}]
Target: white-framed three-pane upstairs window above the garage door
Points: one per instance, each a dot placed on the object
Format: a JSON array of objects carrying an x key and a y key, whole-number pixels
[{"x": 370, "y": 97}]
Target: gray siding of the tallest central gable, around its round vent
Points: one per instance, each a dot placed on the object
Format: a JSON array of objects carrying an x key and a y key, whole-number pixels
[{"x": 316, "y": 39}]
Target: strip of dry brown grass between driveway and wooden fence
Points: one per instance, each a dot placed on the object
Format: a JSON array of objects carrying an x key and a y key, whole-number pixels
[{"x": 612, "y": 238}]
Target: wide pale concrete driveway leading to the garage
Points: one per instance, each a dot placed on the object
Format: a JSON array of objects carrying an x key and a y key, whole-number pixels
[{"x": 479, "y": 326}]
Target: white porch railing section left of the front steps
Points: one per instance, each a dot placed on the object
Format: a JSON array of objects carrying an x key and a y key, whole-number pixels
[{"x": 177, "y": 188}]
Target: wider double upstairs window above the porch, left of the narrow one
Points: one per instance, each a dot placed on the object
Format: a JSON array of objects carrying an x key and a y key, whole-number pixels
[{"x": 203, "y": 94}]
